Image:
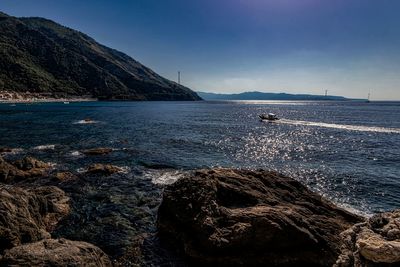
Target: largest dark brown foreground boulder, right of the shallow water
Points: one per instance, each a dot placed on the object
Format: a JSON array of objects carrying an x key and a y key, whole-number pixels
[{"x": 237, "y": 217}]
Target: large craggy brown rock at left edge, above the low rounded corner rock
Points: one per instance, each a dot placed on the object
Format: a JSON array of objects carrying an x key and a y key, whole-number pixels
[{"x": 27, "y": 215}]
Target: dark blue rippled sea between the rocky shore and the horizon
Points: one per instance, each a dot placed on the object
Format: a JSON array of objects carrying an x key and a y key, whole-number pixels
[{"x": 347, "y": 151}]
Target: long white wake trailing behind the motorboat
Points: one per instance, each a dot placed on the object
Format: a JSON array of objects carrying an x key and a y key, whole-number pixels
[{"x": 342, "y": 126}]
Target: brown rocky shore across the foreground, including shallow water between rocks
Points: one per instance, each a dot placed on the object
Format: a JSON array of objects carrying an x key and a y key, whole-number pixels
[{"x": 213, "y": 217}]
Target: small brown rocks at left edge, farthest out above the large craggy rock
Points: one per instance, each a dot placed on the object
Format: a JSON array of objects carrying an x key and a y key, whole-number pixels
[{"x": 24, "y": 169}]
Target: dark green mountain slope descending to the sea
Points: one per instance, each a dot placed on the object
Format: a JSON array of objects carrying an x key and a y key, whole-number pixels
[{"x": 41, "y": 56}]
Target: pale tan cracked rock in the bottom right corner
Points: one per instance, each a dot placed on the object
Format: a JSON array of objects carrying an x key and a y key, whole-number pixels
[{"x": 372, "y": 243}]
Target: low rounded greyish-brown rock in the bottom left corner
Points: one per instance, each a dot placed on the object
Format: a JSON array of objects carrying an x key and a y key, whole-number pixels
[{"x": 55, "y": 252}]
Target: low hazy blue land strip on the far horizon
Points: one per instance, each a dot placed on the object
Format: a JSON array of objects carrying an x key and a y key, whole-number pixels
[{"x": 270, "y": 96}]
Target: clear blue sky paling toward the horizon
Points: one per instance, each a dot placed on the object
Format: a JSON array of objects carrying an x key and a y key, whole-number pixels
[{"x": 348, "y": 47}]
